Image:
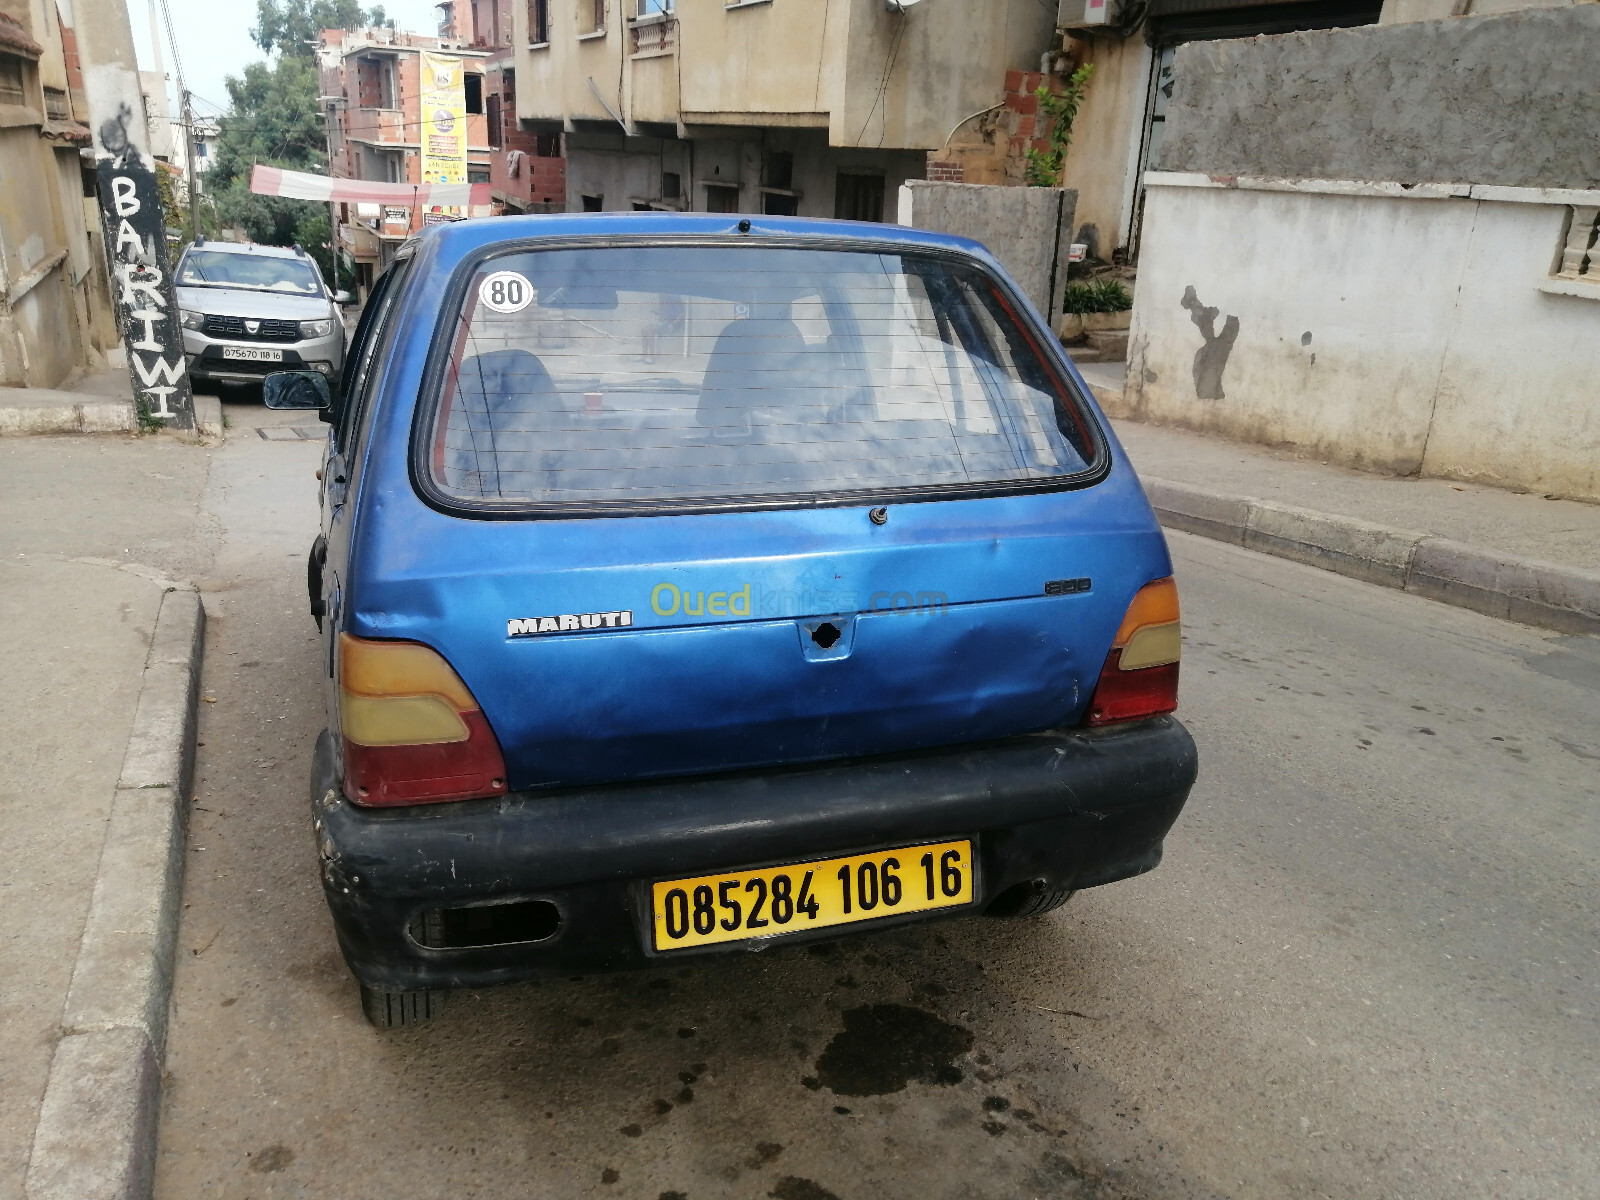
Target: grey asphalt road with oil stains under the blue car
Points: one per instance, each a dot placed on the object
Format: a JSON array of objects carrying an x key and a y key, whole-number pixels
[{"x": 1369, "y": 966}]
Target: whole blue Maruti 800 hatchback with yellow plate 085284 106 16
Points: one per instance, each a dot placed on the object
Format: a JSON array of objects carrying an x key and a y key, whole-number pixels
[{"x": 694, "y": 583}]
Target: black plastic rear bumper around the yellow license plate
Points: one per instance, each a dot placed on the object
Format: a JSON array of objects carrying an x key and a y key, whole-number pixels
[{"x": 1068, "y": 810}]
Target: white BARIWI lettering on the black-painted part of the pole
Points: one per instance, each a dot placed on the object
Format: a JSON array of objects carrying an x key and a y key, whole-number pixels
[{"x": 146, "y": 303}]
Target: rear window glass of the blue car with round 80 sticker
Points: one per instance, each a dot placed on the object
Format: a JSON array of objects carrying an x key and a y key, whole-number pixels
[{"x": 724, "y": 374}]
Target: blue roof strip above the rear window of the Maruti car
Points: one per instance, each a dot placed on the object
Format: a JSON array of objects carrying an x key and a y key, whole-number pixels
[{"x": 462, "y": 238}]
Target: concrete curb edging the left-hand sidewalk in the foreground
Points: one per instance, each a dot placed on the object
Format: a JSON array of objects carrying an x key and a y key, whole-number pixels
[{"x": 97, "y": 1127}]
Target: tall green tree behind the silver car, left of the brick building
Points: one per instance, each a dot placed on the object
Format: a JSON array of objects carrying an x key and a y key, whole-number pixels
[{"x": 276, "y": 119}]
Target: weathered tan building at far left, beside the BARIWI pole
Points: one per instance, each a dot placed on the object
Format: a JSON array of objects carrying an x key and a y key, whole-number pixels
[{"x": 55, "y": 298}]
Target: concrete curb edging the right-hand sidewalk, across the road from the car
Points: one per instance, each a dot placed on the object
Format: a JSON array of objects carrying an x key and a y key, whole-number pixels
[{"x": 1470, "y": 577}]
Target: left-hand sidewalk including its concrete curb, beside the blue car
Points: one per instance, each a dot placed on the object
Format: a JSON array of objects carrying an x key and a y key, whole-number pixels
[{"x": 100, "y": 537}]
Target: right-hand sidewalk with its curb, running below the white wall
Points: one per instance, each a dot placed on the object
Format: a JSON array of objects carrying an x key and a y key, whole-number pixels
[{"x": 1510, "y": 554}]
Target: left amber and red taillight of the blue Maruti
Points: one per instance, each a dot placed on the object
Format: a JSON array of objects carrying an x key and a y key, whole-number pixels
[{"x": 414, "y": 735}]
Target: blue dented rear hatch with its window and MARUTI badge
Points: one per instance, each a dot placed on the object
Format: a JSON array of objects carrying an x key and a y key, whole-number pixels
[{"x": 687, "y": 526}]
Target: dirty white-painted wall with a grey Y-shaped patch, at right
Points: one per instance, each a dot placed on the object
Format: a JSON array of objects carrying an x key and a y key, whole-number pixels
[{"x": 1393, "y": 332}]
